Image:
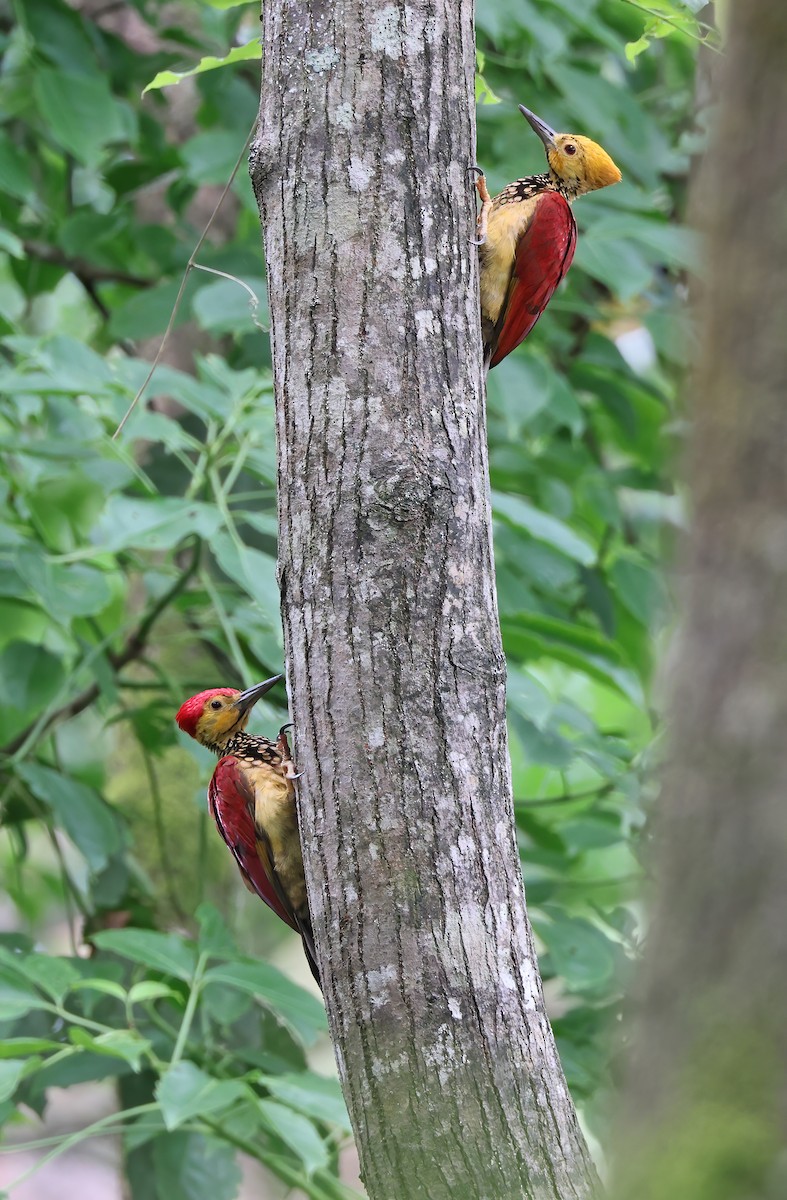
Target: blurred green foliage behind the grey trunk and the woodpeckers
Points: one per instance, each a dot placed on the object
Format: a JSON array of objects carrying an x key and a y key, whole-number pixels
[{"x": 136, "y": 572}]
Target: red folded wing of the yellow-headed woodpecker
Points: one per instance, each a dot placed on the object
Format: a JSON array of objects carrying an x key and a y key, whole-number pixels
[{"x": 544, "y": 255}]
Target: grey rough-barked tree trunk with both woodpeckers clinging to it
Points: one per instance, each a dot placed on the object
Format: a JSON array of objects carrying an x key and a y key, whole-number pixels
[{"x": 394, "y": 655}]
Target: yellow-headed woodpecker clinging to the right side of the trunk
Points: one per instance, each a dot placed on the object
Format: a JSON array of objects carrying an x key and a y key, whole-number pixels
[{"x": 527, "y": 236}]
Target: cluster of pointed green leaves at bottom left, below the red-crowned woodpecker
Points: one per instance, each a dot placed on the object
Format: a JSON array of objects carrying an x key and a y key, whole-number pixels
[{"x": 183, "y": 1029}]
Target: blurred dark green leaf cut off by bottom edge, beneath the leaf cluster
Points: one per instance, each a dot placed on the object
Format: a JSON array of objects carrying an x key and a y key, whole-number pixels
[{"x": 195, "y": 1167}]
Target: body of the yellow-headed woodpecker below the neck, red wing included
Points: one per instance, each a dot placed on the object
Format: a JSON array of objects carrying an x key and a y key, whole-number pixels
[{"x": 527, "y": 239}]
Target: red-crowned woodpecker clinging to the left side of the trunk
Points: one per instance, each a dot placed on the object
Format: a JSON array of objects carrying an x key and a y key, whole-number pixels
[{"x": 253, "y": 801}]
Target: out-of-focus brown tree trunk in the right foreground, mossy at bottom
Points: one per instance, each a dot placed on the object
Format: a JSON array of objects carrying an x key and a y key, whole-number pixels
[{"x": 707, "y": 1099}]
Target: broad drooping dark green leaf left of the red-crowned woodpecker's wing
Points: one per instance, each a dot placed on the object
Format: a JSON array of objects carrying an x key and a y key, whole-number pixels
[{"x": 89, "y": 823}]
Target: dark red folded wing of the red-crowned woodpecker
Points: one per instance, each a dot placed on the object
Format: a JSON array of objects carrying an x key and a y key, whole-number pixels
[{"x": 232, "y": 805}]
